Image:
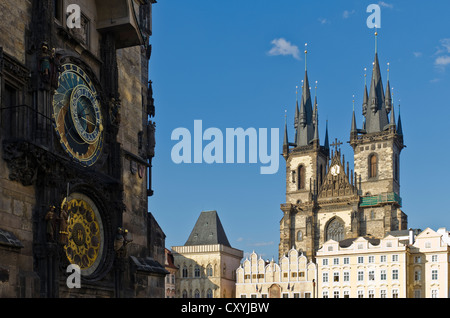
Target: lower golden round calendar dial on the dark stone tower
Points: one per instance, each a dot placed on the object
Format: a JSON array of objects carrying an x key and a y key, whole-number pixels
[{"x": 85, "y": 234}]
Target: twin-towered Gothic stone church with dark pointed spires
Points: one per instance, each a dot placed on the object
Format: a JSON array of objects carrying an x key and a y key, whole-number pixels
[{"x": 325, "y": 199}]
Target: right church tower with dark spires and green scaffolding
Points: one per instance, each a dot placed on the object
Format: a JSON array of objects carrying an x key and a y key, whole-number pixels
[{"x": 377, "y": 147}]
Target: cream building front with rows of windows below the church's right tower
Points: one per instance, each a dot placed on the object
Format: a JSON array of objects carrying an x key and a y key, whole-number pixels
[{"x": 404, "y": 264}]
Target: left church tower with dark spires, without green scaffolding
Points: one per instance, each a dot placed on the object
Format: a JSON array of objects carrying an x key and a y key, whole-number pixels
[{"x": 305, "y": 169}]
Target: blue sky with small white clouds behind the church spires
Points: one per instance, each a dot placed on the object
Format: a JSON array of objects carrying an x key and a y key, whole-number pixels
[{"x": 236, "y": 64}]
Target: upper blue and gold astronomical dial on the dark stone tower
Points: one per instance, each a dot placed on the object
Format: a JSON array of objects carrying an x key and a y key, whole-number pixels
[{"x": 77, "y": 115}]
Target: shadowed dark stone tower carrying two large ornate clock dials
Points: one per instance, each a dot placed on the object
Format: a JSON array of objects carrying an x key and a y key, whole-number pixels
[{"x": 77, "y": 142}]
